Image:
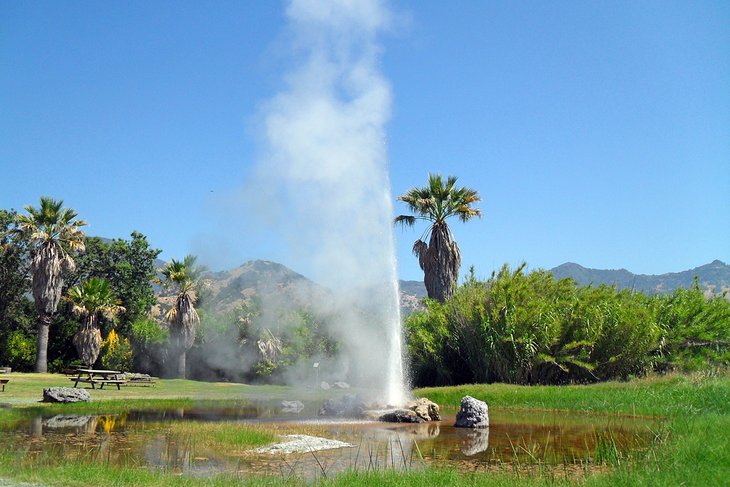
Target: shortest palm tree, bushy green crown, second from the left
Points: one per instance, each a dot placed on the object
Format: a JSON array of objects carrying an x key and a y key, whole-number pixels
[{"x": 90, "y": 300}]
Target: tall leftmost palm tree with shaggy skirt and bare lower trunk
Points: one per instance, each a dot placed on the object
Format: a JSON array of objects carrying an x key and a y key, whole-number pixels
[{"x": 53, "y": 233}]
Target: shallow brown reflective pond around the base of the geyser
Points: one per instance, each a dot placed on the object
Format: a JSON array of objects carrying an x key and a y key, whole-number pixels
[{"x": 189, "y": 441}]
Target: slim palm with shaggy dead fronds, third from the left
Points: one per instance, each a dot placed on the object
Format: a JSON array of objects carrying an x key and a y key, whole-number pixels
[{"x": 183, "y": 277}]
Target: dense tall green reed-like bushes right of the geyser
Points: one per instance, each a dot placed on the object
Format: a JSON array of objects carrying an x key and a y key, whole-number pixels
[{"x": 530, "y": 328}]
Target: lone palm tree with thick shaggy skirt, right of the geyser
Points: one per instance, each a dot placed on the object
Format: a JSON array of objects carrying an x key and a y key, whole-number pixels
[{"x": 440, "y": 259}]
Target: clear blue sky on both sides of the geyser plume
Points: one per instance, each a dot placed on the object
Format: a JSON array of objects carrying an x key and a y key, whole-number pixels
[{"x": 596, "y": 132}]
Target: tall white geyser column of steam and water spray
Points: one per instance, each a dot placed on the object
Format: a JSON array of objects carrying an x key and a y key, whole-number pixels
[{"x": 325, "y": 165}]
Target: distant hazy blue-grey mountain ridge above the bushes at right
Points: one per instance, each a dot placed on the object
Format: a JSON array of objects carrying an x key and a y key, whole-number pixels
[{"x": 714, "y": 278}]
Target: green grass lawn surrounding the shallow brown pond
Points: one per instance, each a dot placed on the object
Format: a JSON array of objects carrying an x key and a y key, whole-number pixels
[{"x": 691, "y": 447}]
